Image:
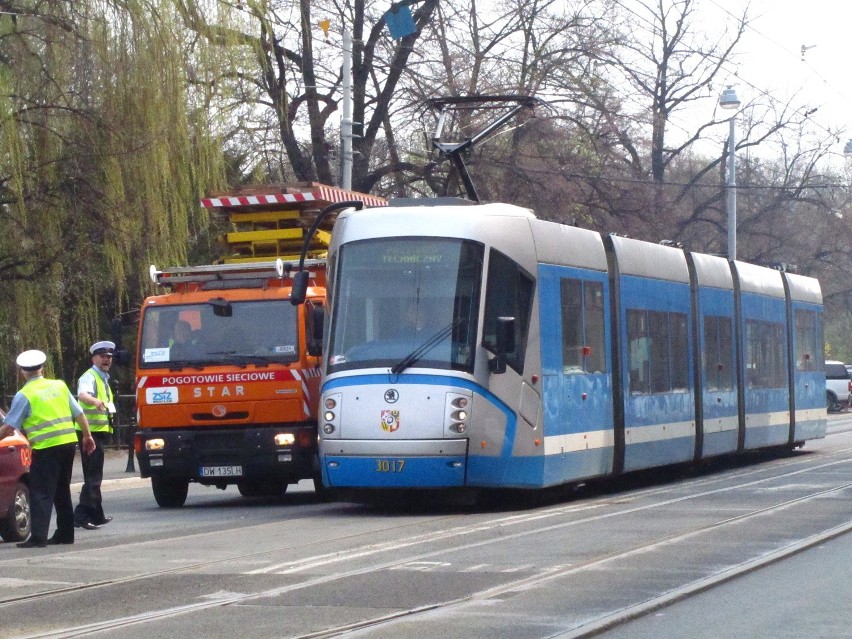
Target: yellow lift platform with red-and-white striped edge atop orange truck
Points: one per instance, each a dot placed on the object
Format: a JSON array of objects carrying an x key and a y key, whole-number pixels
[{"x": 267, "y": 223}]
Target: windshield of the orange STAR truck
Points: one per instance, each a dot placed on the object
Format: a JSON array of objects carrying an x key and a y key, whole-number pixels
[{"x": 219, "y": 332}]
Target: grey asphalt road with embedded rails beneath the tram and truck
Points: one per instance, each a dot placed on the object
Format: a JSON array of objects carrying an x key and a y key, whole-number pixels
[{"x": 744, "y": 549}]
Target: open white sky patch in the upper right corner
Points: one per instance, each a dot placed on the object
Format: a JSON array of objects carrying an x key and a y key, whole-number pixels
[{"x": 770, "y": 56}]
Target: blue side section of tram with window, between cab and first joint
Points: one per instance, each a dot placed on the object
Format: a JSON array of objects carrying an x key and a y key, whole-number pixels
[{"x": 577, "y": 377}]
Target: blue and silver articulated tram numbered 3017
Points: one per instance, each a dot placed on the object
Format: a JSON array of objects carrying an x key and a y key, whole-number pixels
[{"x": 477, "y": 346}]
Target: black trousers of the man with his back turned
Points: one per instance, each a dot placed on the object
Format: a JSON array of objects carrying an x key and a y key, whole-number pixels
[{"x": 50, "y": 485}]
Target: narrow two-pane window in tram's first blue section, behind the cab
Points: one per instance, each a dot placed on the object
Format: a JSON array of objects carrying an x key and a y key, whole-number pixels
[{"x": 582, "y": 326}]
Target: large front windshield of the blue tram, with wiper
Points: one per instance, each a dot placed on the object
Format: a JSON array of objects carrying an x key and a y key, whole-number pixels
[{"x": 406, "y": 302}]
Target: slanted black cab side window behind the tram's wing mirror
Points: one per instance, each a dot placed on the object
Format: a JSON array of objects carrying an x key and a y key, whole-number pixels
[{"x": 509, "y": 293}]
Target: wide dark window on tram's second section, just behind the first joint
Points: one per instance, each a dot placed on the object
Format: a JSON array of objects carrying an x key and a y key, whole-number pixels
[{"x": 657, "y": 351}]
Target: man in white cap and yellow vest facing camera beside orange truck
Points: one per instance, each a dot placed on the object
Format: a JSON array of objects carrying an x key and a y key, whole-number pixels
[{"x": 95, "y": 396}]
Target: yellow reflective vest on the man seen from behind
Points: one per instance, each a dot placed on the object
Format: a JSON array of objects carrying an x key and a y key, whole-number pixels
[{"x": 50, "y": 422}]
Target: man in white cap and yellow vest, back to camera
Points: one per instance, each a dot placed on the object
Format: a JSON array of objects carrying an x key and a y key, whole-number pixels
[{"x": 46, "y": 411}]
